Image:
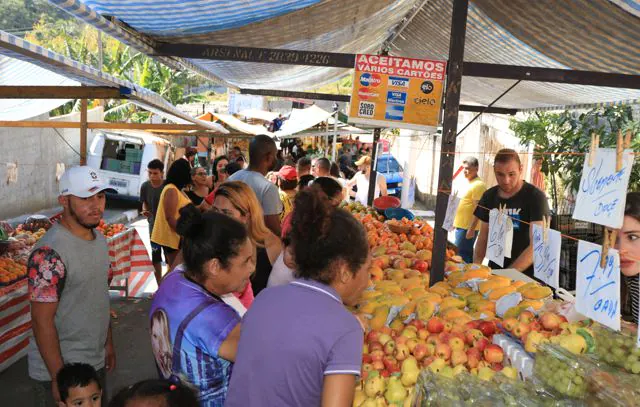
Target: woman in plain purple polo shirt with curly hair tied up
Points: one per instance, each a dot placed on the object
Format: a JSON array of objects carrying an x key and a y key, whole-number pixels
[{"x": 299, "y": 345}]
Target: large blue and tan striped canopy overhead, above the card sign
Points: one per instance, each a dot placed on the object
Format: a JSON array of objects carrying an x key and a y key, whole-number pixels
[{"x": 590, "y": 35}]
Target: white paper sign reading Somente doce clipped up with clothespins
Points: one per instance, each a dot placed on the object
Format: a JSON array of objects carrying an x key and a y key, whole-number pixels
[{"x": 602, "y": 192}]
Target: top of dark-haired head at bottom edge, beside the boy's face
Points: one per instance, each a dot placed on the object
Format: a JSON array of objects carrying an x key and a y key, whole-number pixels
[{"x": 155, "y": 393}]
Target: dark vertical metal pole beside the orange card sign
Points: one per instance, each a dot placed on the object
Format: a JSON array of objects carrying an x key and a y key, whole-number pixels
[{"x": 450, "y": 125}]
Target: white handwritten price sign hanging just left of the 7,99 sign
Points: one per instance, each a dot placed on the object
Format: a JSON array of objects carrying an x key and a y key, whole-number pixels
[{"x": 546, "y": 256}]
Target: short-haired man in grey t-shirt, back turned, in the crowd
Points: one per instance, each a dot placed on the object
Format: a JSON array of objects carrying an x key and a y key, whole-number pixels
[{"x": 262, "y": 159}]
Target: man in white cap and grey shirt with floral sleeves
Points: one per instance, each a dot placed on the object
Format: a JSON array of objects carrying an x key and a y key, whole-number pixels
[{"x": 68, "y": 273}]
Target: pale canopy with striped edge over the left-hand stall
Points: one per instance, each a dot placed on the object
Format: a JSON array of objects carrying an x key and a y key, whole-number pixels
[{"x": 26, "y": 64}]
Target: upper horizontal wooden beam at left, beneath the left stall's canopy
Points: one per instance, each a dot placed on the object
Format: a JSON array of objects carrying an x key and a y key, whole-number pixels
[{"x": 63, "y": 92}]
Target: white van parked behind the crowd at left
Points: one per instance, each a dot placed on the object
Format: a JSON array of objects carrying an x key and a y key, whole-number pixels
[{"x": 121, "y": 158}]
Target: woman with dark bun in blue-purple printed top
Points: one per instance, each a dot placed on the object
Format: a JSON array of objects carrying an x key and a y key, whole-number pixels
[{"x": 194, "y": 334}]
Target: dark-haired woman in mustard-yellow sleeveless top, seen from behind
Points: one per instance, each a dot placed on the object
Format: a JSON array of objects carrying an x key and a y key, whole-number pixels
[{"x": 172, "y": 199}]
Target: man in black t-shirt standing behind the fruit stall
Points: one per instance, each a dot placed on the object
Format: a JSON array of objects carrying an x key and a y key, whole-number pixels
[{"x": 524, "y": 202}]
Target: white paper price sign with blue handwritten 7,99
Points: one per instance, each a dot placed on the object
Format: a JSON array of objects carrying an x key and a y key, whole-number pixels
[{"x": 597, "y": 288}]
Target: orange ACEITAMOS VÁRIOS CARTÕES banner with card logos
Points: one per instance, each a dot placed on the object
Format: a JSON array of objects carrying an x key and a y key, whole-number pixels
[{"x": 397, "y": 92}]
